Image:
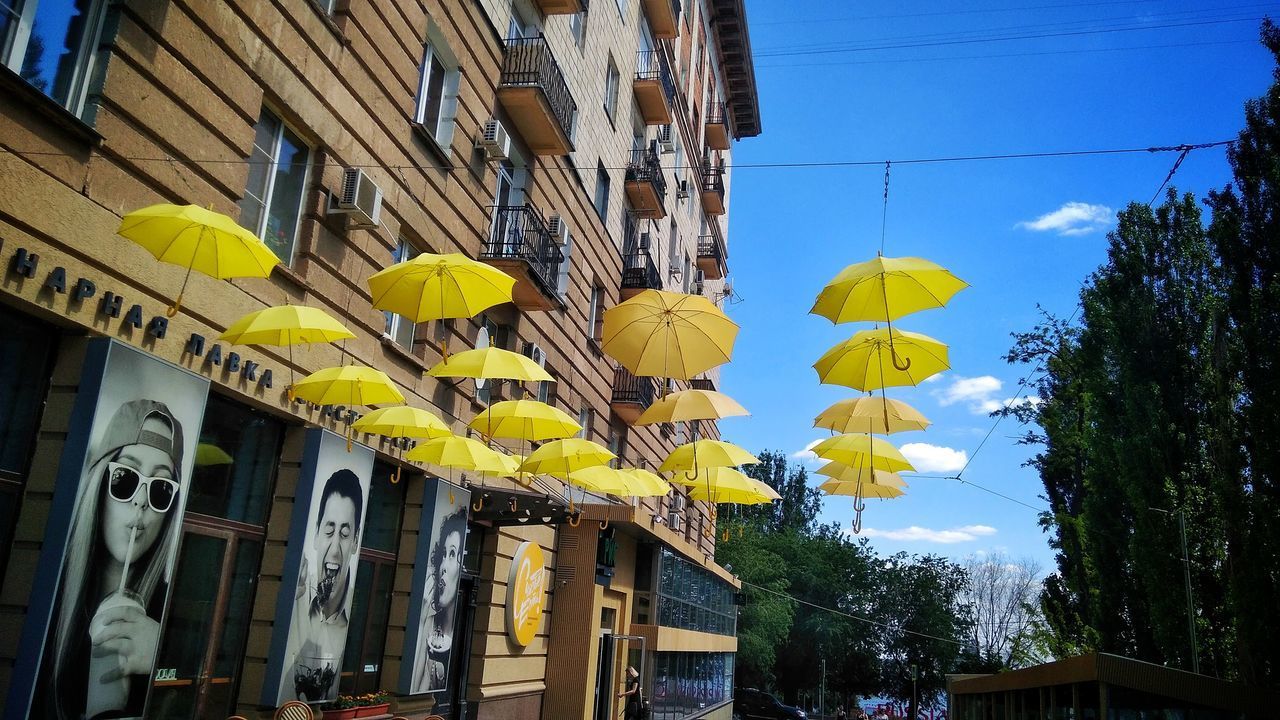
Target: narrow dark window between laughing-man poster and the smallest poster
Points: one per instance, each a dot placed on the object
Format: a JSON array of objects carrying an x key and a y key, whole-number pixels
[{"x": 372, "y": 603}]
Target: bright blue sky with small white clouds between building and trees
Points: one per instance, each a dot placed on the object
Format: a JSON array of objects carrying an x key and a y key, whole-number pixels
[{"x": 1098, "y": 75}]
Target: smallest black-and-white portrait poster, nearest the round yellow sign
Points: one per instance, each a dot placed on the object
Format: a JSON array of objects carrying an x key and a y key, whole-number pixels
[{"x": 435, "y": 601}]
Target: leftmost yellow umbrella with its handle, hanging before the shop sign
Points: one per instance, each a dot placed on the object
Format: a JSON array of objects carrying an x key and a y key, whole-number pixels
[{"x": 198, "y": 239}]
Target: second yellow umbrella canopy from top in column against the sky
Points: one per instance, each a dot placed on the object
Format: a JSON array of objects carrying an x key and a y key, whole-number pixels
[{"x": 883, "y": 358}]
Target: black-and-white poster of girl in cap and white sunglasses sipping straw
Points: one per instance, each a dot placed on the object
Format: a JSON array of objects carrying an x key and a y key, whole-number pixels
[{"x": 125, "y": 528}]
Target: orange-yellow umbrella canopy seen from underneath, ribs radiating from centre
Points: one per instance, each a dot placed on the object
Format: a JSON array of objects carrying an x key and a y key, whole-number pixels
[{"x": 669, "y": 335}]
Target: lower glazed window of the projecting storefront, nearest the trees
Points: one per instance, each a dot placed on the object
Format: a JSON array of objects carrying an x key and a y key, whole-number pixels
[{"x": 688, "y": 683}]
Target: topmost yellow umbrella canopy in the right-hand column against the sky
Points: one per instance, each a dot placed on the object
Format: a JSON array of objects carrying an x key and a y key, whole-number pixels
[{"x": 885, "y": 290}]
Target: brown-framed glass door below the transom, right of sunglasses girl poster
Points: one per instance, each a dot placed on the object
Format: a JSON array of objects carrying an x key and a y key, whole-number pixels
[{"x": 198, "y": 666}]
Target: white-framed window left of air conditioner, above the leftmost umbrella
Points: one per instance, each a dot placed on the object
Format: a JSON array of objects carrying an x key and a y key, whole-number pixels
[{"x": 272, "y": 207}]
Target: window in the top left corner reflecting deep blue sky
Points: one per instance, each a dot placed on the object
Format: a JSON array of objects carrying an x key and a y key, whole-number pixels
[{"x": 54, "y": 47}]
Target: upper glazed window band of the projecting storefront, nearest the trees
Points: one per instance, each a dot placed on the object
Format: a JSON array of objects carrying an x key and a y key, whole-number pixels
[{"x": 692, "y": 599}]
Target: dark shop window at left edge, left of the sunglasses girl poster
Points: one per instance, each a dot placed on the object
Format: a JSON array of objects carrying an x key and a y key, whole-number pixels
[{"x": 26, "y": 349}]
